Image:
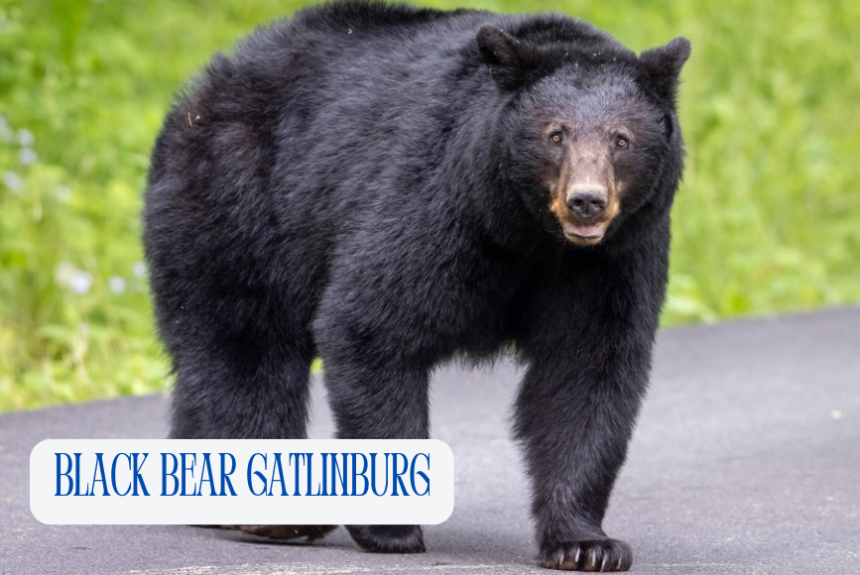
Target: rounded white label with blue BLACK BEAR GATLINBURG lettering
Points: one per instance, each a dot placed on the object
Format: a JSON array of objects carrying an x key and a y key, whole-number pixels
[{"x": 242, "y": 482}]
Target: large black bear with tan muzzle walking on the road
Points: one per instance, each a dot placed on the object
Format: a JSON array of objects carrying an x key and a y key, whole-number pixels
[{"x": 386, "y": 187}]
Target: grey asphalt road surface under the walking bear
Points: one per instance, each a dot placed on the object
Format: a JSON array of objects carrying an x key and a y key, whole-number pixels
[{"x": 746, "y": 460}]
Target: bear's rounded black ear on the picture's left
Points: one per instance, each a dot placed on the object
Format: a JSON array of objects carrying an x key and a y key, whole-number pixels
[{"x": 508, "y": 59}]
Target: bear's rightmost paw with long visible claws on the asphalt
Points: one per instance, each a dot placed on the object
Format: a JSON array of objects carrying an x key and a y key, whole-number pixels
[{"x": 589, "y": 555}]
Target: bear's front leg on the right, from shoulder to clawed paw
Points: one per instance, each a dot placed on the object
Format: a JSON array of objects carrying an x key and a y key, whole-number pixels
[{"x": 588, "y": 350}]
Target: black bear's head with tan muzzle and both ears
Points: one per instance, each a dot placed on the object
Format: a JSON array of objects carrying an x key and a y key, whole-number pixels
[{"x": 587, "y": 131}]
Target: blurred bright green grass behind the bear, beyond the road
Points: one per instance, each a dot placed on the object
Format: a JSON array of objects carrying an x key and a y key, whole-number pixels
[{"x": 768, "y": 219}]
